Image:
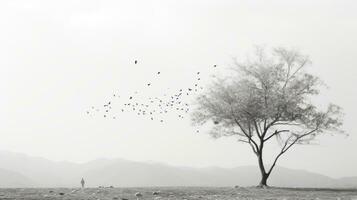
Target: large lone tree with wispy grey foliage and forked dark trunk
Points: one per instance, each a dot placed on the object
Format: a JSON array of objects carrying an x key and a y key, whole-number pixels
[{"x": 267, "y": 97}]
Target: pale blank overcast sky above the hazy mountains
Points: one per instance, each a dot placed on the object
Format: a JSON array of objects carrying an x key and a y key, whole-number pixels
[{"x": 59, "y": 58}]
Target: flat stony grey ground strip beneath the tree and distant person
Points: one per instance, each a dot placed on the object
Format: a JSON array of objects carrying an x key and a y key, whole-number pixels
[{"x": 174, "y": 193}]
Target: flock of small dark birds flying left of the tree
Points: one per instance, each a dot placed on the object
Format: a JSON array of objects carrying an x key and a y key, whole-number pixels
[{"x": 154, "y": 108}]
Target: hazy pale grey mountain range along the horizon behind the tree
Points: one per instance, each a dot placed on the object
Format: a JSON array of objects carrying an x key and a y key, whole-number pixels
[{"x": 19, "y": 170}]
